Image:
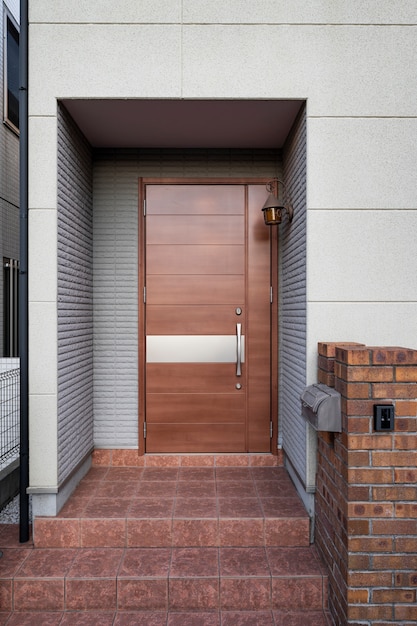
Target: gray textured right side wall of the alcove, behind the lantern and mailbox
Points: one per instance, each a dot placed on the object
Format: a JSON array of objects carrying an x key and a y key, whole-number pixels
[{"x": 292, "y": 315}]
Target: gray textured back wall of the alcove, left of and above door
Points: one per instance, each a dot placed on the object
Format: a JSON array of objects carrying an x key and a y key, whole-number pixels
[{"x": 116, "y": 175}]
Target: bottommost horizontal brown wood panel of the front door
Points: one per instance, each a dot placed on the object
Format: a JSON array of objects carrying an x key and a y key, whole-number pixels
[{"x": 195, "y": 438}]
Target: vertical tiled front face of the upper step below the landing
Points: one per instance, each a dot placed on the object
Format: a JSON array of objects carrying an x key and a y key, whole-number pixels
[{"x": 143, "y": 533}]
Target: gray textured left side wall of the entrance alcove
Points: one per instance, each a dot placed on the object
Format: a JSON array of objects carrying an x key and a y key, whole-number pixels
[{"x": 75, "y": 296}]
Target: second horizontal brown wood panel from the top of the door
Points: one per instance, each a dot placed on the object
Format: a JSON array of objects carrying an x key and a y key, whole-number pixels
[{"x": 195, "y": 229}]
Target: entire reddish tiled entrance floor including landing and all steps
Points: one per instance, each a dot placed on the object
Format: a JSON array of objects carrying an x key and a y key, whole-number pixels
[{"x": 178, "y": 546}]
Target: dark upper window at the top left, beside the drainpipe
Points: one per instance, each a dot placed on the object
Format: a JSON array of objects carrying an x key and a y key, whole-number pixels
[{"x": 11, "y": 108}]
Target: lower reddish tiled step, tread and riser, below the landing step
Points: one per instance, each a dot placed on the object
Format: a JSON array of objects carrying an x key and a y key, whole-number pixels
[{"x": 163, "y": 579}]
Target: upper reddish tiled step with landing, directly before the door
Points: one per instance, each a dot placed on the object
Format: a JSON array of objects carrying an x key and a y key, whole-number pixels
[{"x": 218, "y": 506}]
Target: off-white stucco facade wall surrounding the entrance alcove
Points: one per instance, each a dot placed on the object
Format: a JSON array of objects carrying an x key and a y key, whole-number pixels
[{"x": 354, "y": 63}]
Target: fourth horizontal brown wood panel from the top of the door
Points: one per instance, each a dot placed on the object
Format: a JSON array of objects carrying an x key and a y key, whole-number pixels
[{"x": 213, "y": 289}]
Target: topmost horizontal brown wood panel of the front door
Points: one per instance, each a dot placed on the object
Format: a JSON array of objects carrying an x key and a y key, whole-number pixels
[{"x": 195, "y": 199}]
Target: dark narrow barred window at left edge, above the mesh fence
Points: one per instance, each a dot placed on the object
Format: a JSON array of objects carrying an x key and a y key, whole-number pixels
[{"x": 11, "y": 305}]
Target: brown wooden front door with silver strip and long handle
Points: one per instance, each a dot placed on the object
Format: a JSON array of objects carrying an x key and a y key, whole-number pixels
[{"x": 206, "y": 318}]
